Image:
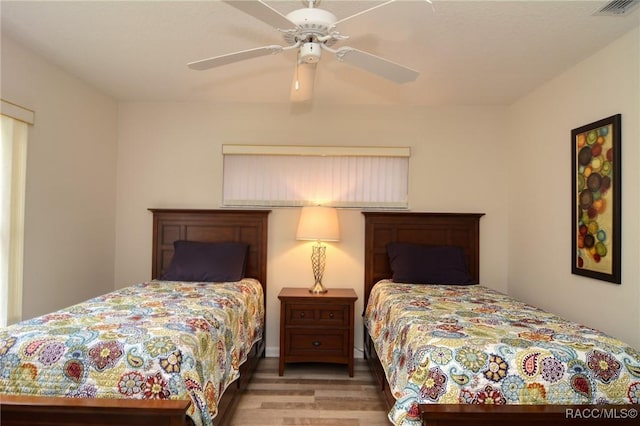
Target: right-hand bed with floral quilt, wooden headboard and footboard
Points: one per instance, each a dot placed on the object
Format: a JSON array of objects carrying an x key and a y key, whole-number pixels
[{"x": 448, "y": 377}]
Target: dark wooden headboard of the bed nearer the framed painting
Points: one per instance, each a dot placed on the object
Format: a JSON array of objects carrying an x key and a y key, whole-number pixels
[{"x": 382, "y": 228}]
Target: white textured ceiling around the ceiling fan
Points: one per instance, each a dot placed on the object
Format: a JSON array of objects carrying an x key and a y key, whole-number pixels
[{"x": 468, "y": 52}]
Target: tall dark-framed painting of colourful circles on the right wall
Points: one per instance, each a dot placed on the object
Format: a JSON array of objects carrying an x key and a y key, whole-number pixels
[{"x": 596, "y": 200}]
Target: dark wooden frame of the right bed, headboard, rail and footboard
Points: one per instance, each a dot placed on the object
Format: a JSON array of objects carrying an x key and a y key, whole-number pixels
[{"x": 459, "y": 229}]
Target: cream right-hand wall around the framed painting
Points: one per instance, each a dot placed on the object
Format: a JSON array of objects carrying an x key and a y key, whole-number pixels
[{"x": 540, "y": 193}]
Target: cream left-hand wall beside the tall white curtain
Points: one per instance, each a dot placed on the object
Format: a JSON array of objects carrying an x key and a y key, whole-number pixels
[{"x": 70, "y": 194}]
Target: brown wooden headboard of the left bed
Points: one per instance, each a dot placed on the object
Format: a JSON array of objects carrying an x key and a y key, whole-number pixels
[{"x": 244, "y": 226}]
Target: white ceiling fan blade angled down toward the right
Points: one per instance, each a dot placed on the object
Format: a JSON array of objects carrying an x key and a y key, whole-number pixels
[{"x": 376, "y": 65}]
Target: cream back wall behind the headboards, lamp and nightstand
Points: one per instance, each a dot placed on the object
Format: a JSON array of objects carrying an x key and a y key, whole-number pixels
[{"x": 169, "y": 155}]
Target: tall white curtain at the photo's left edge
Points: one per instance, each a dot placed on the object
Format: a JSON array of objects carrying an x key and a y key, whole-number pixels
[{"x": 13, "y": 156}]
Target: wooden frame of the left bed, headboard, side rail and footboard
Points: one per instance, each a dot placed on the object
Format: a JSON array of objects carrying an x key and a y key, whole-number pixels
[{"x": 247, "y": 226}]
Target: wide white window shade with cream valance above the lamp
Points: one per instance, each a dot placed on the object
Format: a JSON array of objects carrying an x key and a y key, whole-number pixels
[{"x": 303, "y": 175}]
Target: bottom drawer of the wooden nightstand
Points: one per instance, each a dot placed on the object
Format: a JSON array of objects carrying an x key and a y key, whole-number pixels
[{"x": 310, "y": 342}]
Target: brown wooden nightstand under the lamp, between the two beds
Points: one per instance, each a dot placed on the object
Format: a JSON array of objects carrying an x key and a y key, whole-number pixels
[{"x": 316, "y": 327}]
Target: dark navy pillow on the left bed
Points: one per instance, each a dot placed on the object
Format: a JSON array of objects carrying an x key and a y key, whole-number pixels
[{"x": 207, "y": 262}]
